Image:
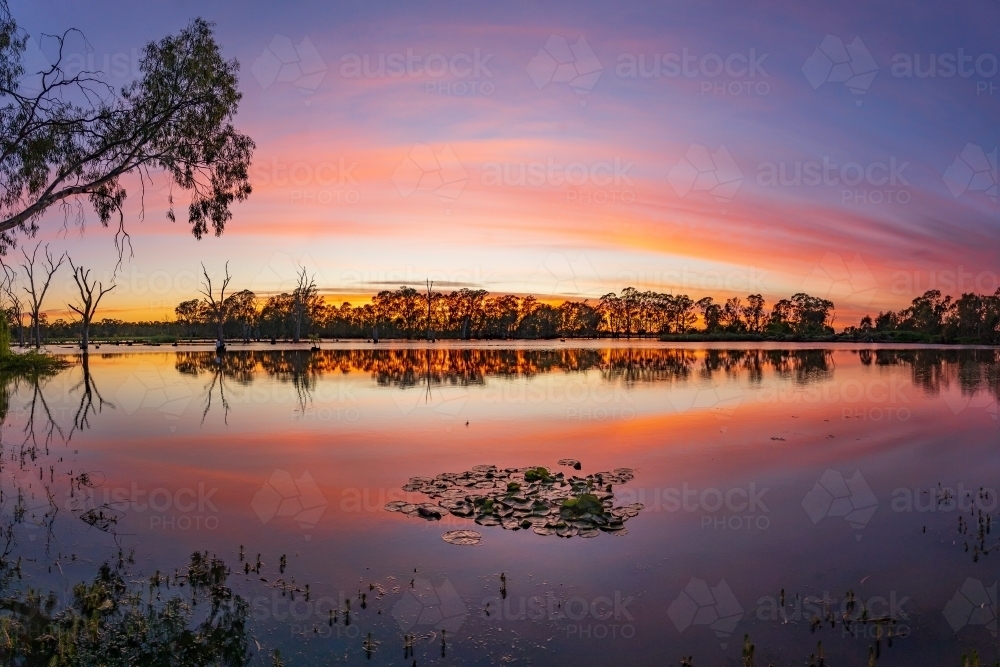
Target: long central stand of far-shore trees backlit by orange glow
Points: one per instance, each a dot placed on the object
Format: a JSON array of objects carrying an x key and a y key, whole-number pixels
[{"x": 476, "y": 314}]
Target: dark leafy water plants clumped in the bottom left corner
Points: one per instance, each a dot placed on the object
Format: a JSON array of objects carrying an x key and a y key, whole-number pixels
[{"x": 191, "y": 618}]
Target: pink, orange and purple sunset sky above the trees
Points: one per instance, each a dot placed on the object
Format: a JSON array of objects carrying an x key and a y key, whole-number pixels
[{"x": 571, "y": 149}]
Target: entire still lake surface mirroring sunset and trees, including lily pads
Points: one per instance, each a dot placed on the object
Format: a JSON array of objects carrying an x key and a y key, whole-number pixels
[{"x": 769, "y": 492}]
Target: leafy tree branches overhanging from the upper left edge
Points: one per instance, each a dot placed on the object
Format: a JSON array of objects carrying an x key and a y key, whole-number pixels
[{"x": 64, "y": 138}]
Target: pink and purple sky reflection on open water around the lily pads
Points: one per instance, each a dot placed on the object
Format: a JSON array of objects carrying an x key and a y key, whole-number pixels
[{"x": 360, "y": 441}]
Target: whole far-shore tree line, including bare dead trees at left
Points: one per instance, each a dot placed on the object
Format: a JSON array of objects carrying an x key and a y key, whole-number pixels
[{"x": 302, "y": 313}]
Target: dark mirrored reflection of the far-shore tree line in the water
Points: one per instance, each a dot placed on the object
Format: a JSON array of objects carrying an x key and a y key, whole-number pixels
[{"x": 972, "y": 369}]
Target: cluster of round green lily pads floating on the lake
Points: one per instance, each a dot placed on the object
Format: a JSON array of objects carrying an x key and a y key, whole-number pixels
[{"x": 546, "y": 502}]
